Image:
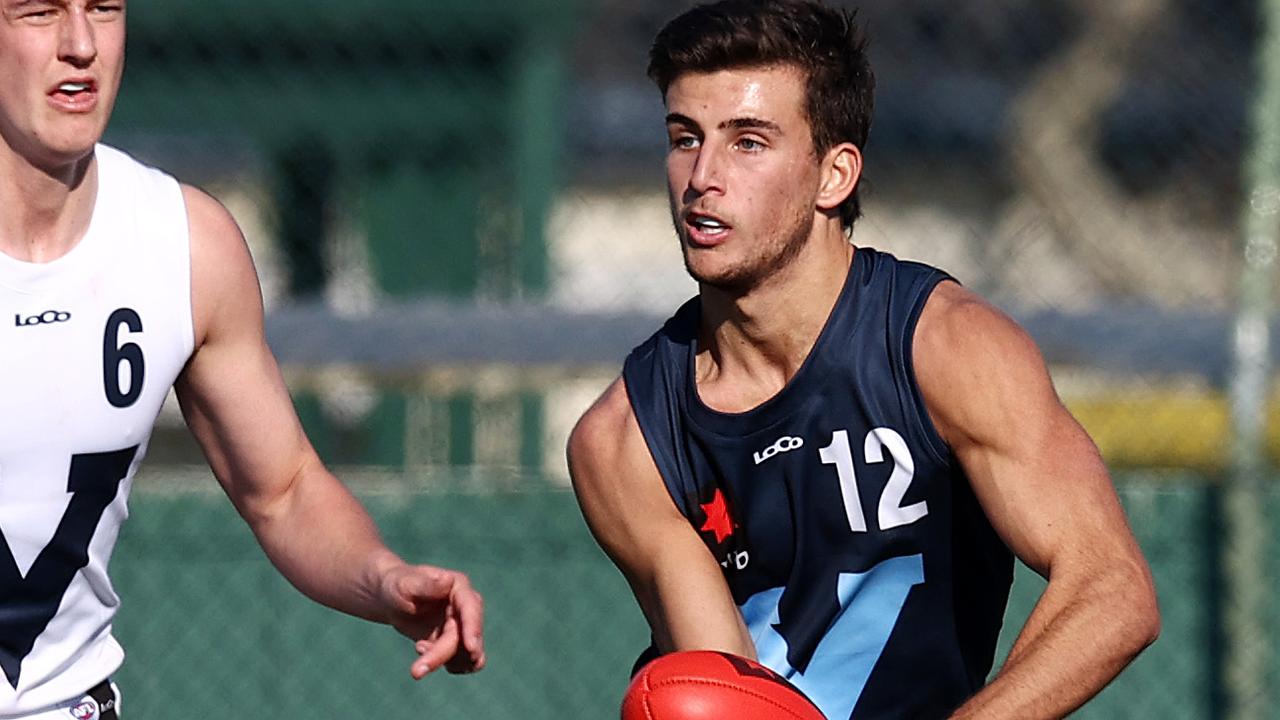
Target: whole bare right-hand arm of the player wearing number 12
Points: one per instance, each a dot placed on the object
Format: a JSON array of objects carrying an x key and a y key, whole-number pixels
[{"x": 1045, "y": 489}]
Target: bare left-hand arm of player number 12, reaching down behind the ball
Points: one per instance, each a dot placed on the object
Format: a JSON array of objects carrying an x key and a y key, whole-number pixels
[{"x": 674, "y": 576}]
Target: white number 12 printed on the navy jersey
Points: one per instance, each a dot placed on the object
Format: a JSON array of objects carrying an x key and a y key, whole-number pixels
[{"x": 892, "y": 513}]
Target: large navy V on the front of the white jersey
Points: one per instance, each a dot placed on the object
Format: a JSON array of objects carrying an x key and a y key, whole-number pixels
[{"x": 28, "y": 604}]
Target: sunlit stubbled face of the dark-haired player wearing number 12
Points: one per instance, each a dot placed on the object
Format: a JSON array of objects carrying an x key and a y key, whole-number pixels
[{"x": 742, "y": 172}]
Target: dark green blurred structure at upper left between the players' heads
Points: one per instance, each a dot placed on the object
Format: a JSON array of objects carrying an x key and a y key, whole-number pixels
[{"x": 435, "y": 124}]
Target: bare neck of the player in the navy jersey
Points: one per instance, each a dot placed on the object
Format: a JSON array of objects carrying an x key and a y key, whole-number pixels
[{"x": 762, "y": 338}]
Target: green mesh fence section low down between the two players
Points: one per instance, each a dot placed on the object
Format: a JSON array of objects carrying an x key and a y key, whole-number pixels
[{"x": 211, "y": 627}]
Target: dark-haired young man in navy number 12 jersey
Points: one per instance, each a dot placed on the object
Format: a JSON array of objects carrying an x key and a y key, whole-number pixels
[{"x": 826, "y": 458}]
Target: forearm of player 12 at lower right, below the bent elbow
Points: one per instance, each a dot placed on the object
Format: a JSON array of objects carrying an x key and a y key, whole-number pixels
[{"x": 1076, "y": 642}]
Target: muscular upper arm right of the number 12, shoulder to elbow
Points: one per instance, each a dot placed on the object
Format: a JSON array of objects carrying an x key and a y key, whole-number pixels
[{"x": 1034, "y": 468}]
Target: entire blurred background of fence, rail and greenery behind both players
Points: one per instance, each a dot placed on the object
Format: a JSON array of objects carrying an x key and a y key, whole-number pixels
[{"x": 459, "y": 216}]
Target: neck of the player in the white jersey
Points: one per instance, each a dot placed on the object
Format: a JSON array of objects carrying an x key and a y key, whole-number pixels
[{"x": 44, "y": 211}]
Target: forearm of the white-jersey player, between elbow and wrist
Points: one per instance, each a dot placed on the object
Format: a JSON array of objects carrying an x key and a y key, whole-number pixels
[{"x": 324, "y": 543}]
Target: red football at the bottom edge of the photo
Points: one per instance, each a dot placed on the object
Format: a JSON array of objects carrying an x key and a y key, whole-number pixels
[{"x": 714, "y": 686}]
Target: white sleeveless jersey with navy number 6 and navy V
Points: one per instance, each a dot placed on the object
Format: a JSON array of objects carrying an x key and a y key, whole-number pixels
[{"x": 92, "y": 345}]
